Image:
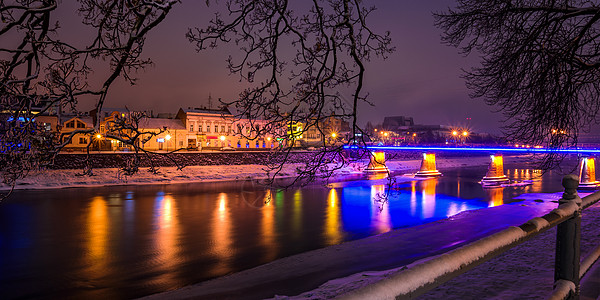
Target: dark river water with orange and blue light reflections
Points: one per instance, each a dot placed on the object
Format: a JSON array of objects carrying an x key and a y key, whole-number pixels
[{"x": 131, "y": 241}]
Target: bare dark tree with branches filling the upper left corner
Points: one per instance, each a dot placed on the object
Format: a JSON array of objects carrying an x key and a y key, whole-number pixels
[{"x": 40, "y": 72}]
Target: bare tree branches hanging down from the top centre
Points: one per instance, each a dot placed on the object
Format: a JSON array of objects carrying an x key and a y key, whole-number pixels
[{"x": 305, "y": 62}]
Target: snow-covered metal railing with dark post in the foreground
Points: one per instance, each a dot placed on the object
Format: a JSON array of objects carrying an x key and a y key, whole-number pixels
[{"x": 430, "y": 274}]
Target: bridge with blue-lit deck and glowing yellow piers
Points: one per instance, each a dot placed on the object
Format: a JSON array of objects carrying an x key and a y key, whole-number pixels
[{"x": 495, "y": 174}]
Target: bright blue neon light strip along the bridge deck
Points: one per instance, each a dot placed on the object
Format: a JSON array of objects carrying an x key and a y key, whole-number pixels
[{"x": 478, "y": 149}]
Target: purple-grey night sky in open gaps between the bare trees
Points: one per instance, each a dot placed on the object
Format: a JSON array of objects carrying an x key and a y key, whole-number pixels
[{"x": 421, "y": 79}]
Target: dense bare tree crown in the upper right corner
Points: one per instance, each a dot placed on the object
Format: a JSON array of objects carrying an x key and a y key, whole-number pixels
[{"x": 540, "y": 63}]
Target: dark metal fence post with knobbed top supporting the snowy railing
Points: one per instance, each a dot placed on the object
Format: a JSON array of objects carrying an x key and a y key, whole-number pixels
[{"x": 567, "y": 238}]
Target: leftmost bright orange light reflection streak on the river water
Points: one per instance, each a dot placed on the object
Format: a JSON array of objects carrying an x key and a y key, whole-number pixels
[{"x": 97, "y": 237}]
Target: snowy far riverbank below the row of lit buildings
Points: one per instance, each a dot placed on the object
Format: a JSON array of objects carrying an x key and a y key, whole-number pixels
[{"x": 67, "y": 178}]
